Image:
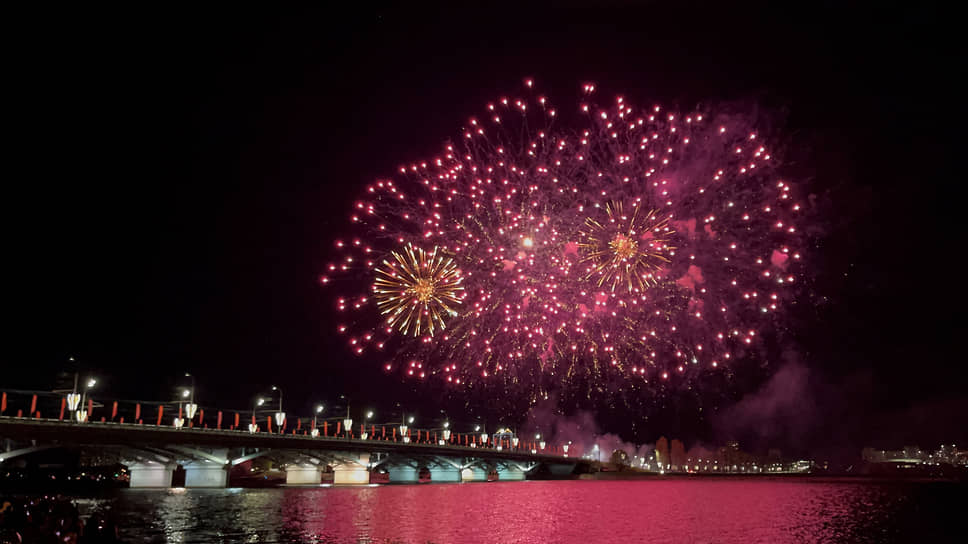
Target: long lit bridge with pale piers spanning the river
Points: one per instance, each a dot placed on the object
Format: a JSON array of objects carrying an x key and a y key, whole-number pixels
[{"x": 152, "y": 451}]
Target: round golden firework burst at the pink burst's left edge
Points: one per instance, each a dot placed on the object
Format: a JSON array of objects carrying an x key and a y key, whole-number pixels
[{"x": 417, "y": 290}]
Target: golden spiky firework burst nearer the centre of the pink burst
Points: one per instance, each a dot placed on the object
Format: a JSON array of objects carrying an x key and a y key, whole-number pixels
[{"x": 627, "y": 249}]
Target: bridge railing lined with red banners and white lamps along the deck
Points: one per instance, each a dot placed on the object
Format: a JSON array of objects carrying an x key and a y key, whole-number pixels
[{"x": 48, "y": 406}]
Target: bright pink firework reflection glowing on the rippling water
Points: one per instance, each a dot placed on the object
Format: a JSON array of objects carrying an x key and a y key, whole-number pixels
[{"x": 573, "y": 512}]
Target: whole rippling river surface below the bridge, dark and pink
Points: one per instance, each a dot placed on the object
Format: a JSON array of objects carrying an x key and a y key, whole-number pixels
[{"x": 723, "y": 510}]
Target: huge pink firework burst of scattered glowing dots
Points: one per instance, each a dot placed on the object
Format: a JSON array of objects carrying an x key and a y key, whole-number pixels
[{"x": 646, "y": 244}]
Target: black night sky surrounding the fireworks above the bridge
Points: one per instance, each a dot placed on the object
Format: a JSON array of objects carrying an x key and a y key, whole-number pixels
[{"x": 177, "y": 178}]
